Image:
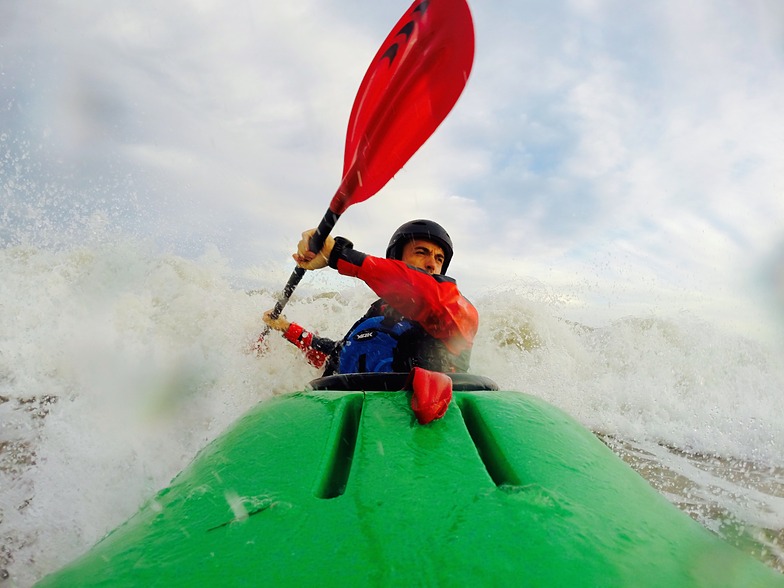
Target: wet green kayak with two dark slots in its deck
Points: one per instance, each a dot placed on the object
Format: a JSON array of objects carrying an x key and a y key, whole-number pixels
[{"x": 343, "y": 487}]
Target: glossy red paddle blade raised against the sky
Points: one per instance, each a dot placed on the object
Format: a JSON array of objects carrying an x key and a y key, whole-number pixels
[{"x": 411, "y": 85}]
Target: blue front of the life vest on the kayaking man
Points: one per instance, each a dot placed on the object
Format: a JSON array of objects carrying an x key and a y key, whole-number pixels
[{"x": 371, "y": 346}]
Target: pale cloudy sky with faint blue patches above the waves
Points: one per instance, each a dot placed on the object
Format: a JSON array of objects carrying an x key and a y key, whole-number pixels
[{"x": 620, "y": 158}]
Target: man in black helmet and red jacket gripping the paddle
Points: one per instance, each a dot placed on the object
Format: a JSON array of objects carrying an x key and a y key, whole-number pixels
[{"x": 420, "y": 319}]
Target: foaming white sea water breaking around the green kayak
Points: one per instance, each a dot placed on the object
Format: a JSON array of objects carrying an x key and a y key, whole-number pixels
[{"x": 118, "y": 363}]
